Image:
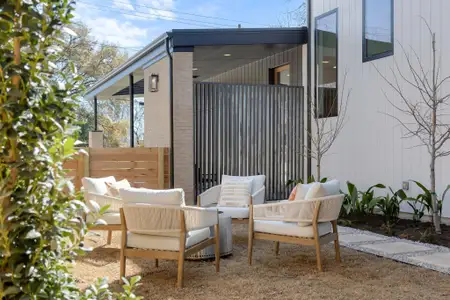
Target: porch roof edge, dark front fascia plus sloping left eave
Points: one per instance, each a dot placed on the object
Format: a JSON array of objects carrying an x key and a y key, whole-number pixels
[{"x": 185, "y": 40}]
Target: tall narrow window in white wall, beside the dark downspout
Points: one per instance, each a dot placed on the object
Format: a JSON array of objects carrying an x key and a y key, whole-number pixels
[{"x": 326, "y": 50}]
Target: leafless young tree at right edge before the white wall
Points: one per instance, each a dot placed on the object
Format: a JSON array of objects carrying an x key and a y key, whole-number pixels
[{"x": 424, "y": 111}]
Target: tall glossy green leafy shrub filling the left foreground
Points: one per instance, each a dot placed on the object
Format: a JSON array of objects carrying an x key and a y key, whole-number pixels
[{"x": 41, "y": 230}]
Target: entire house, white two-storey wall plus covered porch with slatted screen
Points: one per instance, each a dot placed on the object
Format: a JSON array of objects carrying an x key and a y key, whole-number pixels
[{"x": 230, "y": 101}]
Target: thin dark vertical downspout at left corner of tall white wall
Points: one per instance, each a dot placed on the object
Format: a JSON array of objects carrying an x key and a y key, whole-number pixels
[{"x": 308, "y": 93}]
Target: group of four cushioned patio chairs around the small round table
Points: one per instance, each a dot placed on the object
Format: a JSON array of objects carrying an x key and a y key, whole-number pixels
[{"x": 158, "y": 225}]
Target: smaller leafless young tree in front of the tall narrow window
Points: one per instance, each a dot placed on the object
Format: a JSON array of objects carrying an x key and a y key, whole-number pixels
[{"x": 327, "y": 124}]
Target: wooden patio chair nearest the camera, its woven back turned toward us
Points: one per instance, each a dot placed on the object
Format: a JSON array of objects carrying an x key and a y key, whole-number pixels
[{"x": 167, "y": 232}]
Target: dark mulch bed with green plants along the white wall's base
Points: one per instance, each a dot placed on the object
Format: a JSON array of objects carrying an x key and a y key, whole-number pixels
[{"x": 407, "y": 229}]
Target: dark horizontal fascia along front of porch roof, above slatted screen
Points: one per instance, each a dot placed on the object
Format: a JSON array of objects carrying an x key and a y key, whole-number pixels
[{"x": 238, "y": 36}]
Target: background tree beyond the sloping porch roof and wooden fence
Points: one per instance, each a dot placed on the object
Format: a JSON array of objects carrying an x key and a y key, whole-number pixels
[{"x": 93, "y": 60}]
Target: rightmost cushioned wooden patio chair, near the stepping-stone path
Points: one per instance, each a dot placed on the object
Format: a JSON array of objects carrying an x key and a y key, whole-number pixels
[{"x": 311, "y": 222}]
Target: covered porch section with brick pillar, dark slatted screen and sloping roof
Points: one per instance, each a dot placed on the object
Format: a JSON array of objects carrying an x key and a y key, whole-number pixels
[{"x": 225, "y": 101}]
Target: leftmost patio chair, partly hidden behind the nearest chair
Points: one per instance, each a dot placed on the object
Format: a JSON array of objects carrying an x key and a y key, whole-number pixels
[{"x": 96, "y": 190}]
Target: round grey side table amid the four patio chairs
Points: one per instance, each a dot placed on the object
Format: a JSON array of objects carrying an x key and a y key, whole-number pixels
[{"x": 226, "y": 240}]
